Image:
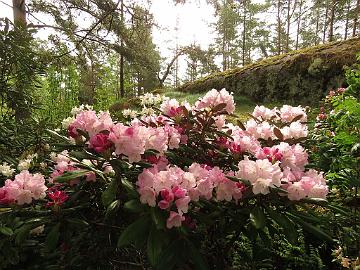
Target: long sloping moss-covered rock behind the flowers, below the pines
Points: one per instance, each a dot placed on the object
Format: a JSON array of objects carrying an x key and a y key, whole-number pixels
[{"x": 302, "y": 76}]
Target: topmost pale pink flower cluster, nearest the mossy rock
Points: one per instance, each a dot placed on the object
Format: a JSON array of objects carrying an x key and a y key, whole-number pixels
[{"x": 214, "y": 98}]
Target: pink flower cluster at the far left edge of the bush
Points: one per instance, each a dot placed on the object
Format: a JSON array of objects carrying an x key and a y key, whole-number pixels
[{"x": 23, "y": 189}]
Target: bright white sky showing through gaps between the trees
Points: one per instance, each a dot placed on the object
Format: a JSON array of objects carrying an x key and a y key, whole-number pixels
[{"x": 192, "y": 18}]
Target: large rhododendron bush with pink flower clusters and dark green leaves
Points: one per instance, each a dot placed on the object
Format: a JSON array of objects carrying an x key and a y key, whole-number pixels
[{"x": 164, "y": 177}]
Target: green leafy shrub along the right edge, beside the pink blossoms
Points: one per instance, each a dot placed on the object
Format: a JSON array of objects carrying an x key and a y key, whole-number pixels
[{"x": 337, "y": 153}]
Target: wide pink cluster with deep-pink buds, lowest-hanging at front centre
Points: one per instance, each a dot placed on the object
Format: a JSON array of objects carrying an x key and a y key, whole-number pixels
[{"x": 173, "y": 189}]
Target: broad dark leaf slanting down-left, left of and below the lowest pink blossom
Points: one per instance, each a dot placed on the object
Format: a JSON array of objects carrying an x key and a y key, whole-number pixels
[{"x": 135, "y": 233}]
